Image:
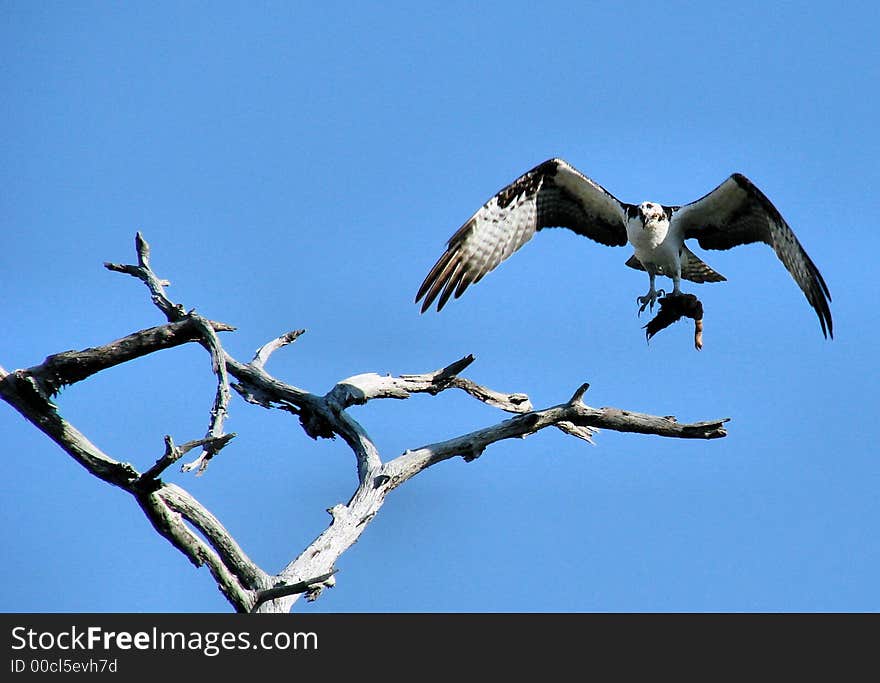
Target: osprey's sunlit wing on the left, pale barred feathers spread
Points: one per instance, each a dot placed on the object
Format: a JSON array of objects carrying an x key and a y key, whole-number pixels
[{"x": 553, "y": 194}]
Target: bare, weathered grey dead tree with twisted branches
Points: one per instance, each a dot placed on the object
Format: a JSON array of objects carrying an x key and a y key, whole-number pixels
[{"x": 177, "y": 515}]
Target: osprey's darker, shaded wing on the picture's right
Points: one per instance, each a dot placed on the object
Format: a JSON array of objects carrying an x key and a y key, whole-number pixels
[{"x": 736, "y": 212}]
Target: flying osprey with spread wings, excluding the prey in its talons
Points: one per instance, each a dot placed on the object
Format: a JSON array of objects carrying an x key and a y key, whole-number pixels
[{"x": 555, "y": 194}]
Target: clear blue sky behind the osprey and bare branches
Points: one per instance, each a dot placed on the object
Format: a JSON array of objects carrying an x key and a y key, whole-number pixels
[{"x": 295, "y": 166}]
